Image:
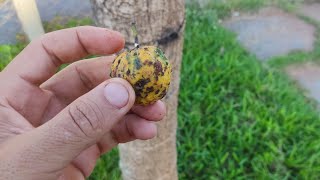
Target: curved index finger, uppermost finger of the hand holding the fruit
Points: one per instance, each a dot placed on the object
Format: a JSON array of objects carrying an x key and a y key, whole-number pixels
[{"x": 42, "y": 57}]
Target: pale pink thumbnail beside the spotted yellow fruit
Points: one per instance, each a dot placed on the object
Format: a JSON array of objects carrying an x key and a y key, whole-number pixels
[{"x": 116, "y": 94}]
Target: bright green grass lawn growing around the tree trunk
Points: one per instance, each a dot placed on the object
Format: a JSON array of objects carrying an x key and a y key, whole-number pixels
[{"x": 238, "y": 119}]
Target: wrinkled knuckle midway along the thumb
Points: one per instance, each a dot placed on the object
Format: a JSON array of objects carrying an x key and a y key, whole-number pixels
[{"x": 87, "y": 116}]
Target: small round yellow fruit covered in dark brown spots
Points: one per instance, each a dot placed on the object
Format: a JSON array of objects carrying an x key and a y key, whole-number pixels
[{"x": 147, "y": 70}]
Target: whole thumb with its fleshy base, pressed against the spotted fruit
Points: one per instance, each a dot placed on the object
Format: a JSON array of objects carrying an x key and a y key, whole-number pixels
[{"x": 80, "y": 125}]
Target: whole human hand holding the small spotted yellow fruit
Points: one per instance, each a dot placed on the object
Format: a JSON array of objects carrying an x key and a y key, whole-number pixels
[{"x": 55, "y": 126}]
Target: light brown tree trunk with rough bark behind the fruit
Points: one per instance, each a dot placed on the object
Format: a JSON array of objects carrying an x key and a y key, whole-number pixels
[{"x": 161, "y": 23}]
